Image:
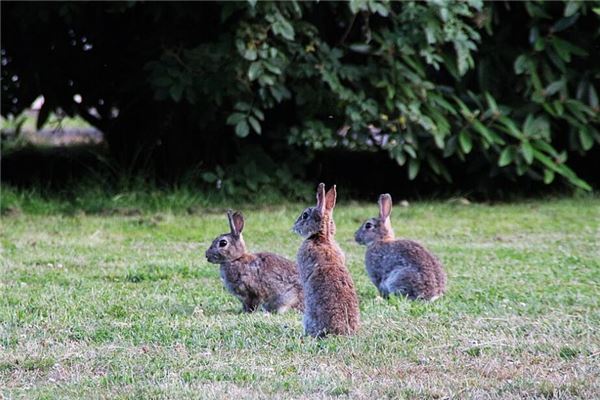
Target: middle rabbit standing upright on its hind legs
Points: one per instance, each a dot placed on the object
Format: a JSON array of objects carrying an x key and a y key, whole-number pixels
[{"x": 330, "y": 300}]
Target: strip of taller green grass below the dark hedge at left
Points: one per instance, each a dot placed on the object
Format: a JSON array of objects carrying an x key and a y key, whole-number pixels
[{"x": 129, "y": 197}]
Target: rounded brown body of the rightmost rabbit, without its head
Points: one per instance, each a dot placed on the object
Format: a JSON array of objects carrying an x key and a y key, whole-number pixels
[{"x": 406, "y": 268}]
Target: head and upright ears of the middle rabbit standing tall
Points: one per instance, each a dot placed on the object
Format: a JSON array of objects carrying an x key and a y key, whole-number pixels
[{"x": 318, "y": 219}]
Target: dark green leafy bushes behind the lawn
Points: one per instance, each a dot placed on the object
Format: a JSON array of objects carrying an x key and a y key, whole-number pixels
[{"x": 510, "y": 88}]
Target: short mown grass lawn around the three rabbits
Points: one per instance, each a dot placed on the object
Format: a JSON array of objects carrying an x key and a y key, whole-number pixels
[{"x": 123, "y": 305}]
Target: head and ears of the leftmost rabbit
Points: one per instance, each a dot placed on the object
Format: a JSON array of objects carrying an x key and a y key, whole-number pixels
[{"x": 228, "y": 246}]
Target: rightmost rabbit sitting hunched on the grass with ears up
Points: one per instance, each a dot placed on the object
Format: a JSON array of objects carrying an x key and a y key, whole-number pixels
[{"x": 401, "y": 267}]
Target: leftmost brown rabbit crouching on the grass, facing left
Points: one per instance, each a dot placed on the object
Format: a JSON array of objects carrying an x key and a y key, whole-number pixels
[{"x": 255, "y": 279}]
